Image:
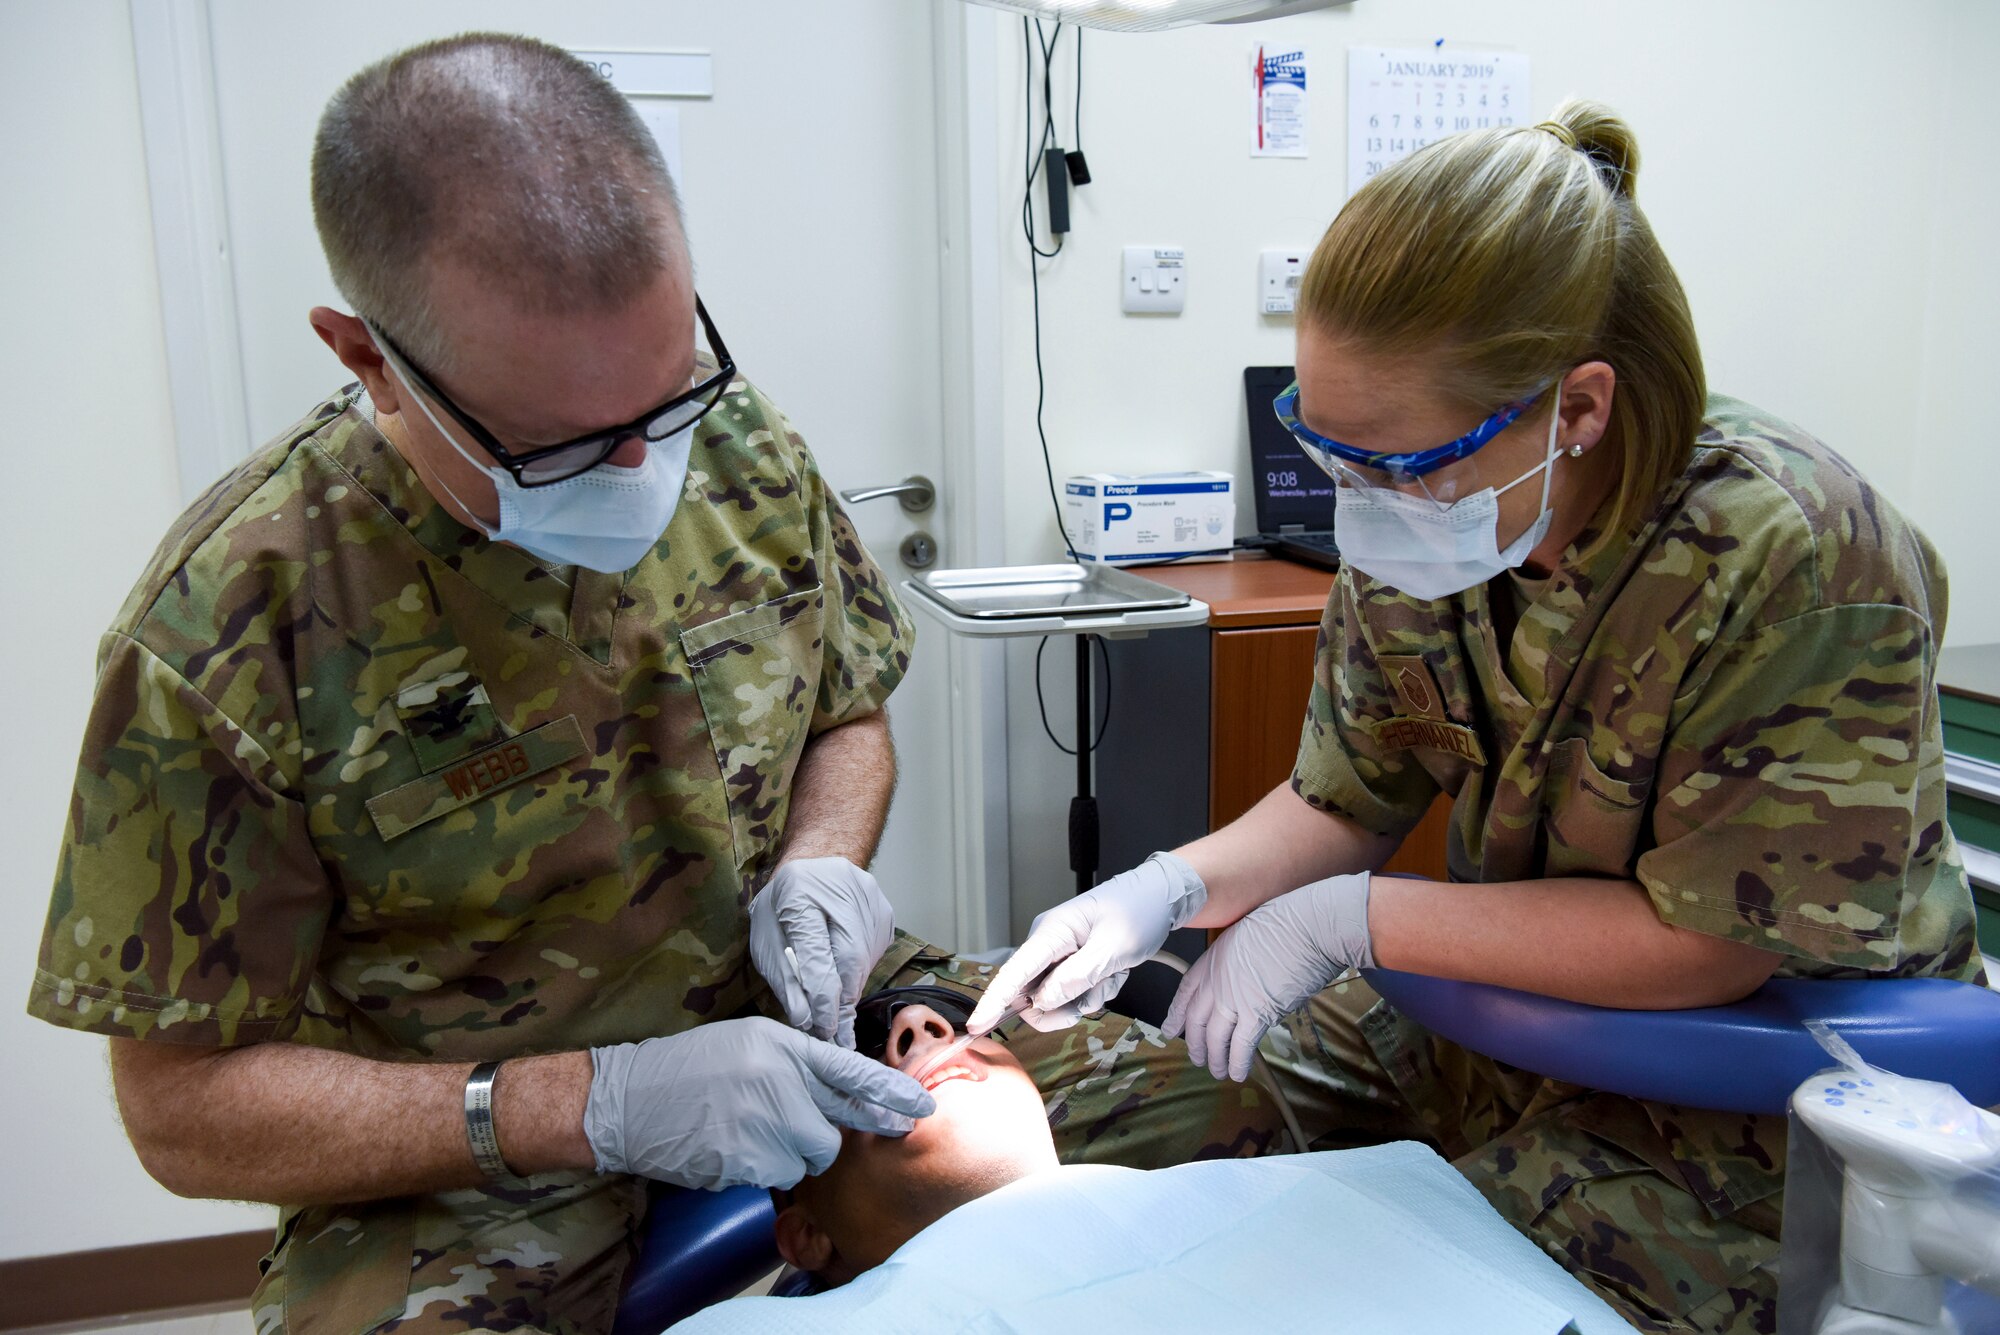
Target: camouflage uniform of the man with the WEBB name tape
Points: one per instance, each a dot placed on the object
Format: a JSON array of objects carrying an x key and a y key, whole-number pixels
[{"x": 363, "y": 780}]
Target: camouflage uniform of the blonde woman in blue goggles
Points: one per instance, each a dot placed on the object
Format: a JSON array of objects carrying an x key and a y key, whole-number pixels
[{"x": 1737, "y": 710}]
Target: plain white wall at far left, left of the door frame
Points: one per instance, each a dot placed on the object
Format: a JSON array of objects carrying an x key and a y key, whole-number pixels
[{"x": 91, "y": 489}]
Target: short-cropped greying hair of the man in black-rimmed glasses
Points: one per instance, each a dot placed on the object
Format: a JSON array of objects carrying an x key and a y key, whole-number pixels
[{"x": 499, "y": 153}]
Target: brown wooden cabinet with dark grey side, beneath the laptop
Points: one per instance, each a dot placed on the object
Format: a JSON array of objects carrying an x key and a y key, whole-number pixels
[{"x": 1205, "y": 722}]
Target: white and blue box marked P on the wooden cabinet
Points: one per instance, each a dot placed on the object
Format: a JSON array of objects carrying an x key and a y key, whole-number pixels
[{"x": 1125, "y": 519}]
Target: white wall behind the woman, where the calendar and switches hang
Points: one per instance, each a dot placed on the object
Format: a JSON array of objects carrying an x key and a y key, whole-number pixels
[{"x": 1817, "y": 171}]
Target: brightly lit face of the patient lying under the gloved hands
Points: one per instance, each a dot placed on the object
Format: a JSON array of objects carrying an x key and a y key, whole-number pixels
[{"x": 989, "y": 1130}]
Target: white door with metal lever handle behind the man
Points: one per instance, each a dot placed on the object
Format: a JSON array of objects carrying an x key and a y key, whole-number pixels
[{"x": 811, "y": 187}]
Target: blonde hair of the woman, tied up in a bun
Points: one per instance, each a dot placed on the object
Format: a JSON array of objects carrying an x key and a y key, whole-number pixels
[{"x": 1511, "y": 257}]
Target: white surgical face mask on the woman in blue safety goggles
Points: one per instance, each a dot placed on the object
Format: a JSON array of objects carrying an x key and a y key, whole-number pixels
[{"x": 1435, "y": 553}]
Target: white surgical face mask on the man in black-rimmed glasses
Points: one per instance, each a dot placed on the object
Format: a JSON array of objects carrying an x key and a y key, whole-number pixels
[{"x": 607, "y": 519}]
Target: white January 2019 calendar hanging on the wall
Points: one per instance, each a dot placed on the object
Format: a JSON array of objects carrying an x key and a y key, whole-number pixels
[{"x": 1401, "y": 99}]
